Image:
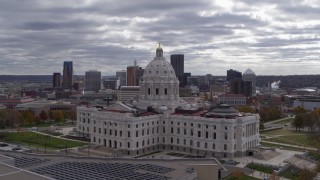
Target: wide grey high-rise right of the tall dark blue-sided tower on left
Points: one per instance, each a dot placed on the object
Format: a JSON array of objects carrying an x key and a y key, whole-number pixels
[{"x": 93, "y": 80}]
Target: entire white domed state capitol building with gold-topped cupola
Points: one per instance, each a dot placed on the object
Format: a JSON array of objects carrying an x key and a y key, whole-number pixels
[{"x": 159, "y": 120}]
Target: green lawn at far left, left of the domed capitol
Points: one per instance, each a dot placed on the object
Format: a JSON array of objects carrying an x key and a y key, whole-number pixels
[{"x": 38, "y": 140}]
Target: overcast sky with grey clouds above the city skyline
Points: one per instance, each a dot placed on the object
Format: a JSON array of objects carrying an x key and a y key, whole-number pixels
[{"x": 272, "y": 37}]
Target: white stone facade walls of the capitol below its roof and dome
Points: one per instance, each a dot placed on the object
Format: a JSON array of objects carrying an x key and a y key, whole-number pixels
[{"x": 192, "y": 134}]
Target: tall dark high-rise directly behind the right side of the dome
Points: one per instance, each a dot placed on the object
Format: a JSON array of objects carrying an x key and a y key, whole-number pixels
[{"x": 177, "y": 62}]
